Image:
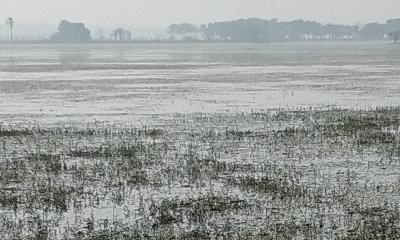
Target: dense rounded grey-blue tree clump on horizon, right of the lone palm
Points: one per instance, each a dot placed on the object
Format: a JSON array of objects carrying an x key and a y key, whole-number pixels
[{"x": 71, "y": 32}]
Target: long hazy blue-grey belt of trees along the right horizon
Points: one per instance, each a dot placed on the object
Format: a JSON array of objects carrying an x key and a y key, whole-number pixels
[{"x": 261, "y": 30}]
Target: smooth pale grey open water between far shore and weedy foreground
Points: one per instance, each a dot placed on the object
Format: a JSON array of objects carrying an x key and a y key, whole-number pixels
[{"x": 118, "y": 82}]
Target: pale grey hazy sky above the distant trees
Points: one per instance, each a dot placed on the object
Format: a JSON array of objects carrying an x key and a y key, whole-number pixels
[{"x": 164, "y": 12}]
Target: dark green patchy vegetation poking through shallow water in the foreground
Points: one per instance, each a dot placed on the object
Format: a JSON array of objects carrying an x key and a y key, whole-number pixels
[{"x": 319, "y": 173}]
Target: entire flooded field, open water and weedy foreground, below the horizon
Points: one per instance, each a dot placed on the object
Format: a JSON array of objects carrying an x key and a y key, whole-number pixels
[{"x": 200, "y": 141}]
